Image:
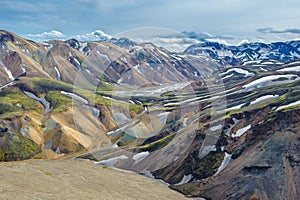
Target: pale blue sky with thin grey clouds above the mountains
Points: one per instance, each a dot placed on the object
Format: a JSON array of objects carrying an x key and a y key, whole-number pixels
[{"x": 239, "y": 18}]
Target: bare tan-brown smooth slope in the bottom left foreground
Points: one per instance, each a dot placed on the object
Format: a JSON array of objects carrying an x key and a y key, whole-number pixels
[{"x": 76, "y": 179}]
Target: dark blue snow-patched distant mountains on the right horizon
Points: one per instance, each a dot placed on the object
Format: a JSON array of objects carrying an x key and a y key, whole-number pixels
[{"x": 238, "y": 55}]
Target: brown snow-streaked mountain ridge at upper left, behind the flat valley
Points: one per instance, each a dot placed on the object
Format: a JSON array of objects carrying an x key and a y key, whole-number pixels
[{"x": 61, "y": 60}]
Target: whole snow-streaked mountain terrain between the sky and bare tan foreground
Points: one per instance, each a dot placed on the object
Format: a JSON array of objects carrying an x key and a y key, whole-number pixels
[{"x": 206, "y": 126}]
